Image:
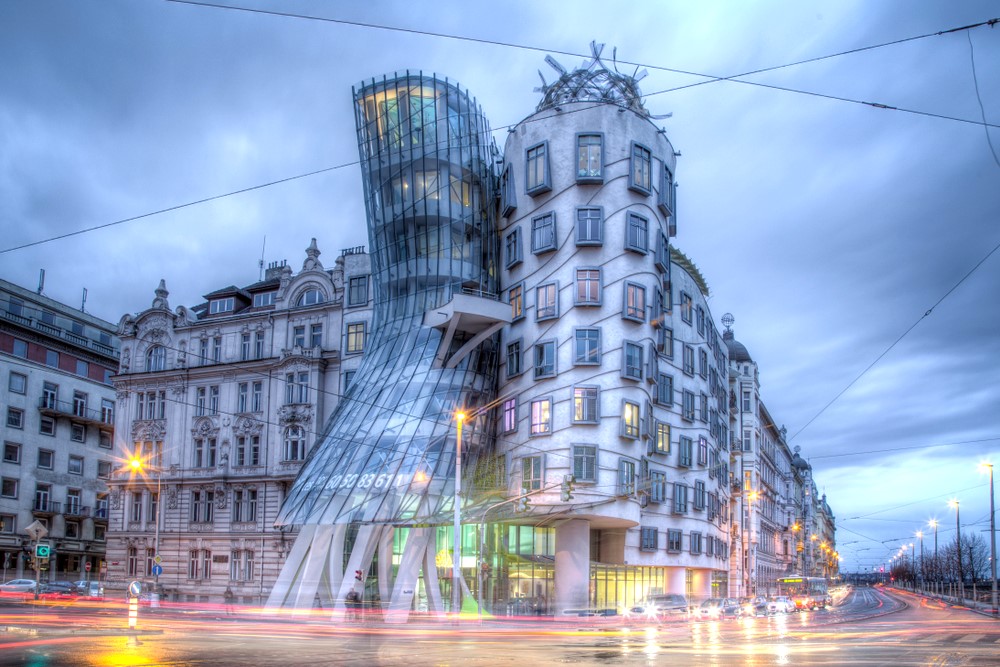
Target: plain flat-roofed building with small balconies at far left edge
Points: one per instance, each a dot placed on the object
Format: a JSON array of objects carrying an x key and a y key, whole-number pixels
[{"x": 56, "y": 364}]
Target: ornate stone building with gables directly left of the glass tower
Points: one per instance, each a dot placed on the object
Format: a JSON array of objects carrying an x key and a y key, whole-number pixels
[{"x": 221, "y": 403}]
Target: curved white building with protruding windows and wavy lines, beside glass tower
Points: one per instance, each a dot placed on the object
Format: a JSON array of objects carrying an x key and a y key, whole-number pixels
[{"x": 604, "y": 322}]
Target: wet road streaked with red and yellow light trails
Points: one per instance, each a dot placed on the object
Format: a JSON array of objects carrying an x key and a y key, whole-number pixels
[{"x": 870, "y": 627}]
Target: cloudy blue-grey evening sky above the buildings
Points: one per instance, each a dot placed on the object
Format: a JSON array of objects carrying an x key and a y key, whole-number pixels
[{"x": 852, "y": 243}]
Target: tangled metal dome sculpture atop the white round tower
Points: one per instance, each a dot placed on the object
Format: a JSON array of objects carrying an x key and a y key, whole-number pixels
[{"x": 593, "y": 81}]
